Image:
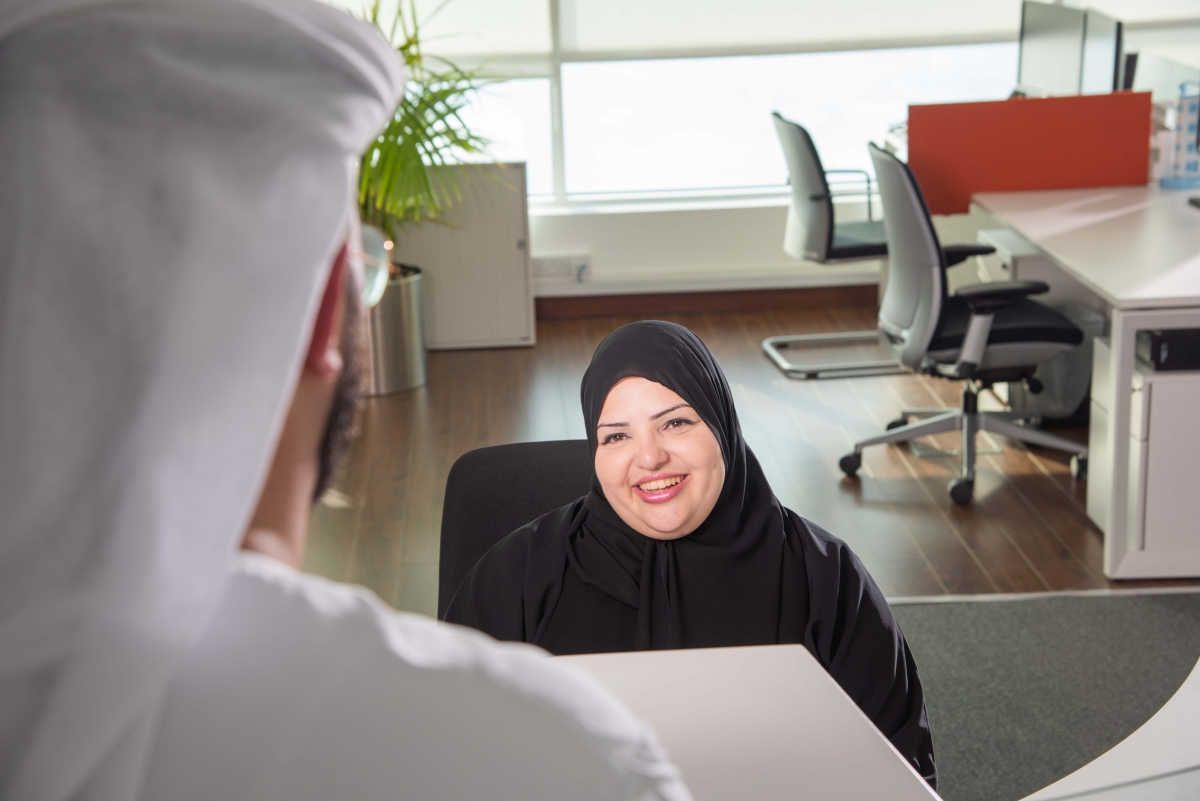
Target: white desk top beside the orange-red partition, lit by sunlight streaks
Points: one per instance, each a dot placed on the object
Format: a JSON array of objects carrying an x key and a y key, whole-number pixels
[{"x": 1136, "y": 246}]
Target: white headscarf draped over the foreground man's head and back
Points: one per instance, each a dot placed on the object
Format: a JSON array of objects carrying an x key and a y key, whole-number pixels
[{"x": 176, "y": 183}]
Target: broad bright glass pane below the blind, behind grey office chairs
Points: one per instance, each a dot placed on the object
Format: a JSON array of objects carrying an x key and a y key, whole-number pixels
[{"x": 705, "y": 124}]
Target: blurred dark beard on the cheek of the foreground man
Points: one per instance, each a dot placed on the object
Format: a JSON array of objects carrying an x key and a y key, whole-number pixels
[{"x": 340, "y": 429}]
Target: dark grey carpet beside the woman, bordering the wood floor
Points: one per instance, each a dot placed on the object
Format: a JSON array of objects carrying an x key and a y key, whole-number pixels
[{"x": 1023, "y": 692}]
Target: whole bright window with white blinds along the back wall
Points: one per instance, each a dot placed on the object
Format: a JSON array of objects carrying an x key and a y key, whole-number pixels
[{"x": 637, "y": 97}]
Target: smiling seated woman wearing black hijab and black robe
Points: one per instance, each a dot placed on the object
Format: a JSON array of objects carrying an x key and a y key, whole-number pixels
[{"x": 623, "y": 569}]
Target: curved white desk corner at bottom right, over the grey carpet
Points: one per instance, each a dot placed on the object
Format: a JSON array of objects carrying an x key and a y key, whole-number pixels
[{"x": 1168, "y": 744}]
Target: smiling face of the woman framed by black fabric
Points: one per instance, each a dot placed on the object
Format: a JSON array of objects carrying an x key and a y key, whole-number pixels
[{"x": 658, "y": 463}]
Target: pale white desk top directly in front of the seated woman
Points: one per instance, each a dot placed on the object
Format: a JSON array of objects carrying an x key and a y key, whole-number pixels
[{"x": 758, "y": 724}]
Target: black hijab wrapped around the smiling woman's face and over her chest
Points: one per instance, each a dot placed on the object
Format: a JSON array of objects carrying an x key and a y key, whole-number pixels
[{"x": 722, "y": 585}]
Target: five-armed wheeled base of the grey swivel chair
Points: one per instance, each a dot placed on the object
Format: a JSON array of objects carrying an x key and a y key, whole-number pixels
[{"x": 970, "y": 421}]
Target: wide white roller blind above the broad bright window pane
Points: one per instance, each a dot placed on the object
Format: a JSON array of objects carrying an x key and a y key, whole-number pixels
[{"x": 619, "y": 27}]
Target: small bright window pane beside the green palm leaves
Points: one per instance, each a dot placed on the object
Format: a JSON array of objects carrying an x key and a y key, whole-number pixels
[{"x": 515, "y": 117}]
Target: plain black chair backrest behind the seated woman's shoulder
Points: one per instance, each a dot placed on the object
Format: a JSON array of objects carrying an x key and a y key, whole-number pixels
[{"x": 493, "y": 492}]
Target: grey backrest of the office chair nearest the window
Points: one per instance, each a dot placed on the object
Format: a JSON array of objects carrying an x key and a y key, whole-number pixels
[{"x": 809, "y": 232}]
